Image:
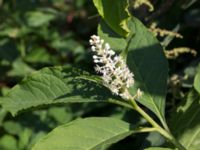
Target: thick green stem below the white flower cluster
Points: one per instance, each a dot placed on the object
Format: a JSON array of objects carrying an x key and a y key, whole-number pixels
[{"x": 164, "y": 132}]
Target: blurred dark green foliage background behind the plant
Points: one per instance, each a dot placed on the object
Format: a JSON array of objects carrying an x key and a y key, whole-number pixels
[{"x": 41, "y": 33}]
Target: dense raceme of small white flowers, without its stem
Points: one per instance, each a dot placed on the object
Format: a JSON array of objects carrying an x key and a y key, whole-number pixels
[{"x": 115, "y": 73}]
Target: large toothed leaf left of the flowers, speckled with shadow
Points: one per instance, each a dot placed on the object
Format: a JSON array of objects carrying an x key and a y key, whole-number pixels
[{"x": 53, "y": 85}]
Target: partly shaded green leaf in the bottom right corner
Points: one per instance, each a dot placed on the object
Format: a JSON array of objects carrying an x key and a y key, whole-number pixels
[{"x": 185, "y": 123}]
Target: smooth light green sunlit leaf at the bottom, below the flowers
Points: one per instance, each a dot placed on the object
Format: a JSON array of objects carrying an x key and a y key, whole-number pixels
[{"x": 88, "y": 134}]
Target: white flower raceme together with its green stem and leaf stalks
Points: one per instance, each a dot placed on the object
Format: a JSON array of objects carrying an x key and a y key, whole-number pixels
[{"x": 118, "y": 78}]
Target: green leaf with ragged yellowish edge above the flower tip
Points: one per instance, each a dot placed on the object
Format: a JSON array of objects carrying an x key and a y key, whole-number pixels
[{"x": 115, "y": 14}]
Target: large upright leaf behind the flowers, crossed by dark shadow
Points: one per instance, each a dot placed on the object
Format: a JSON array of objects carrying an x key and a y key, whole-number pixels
[{"x": 146, "y": 60}]
